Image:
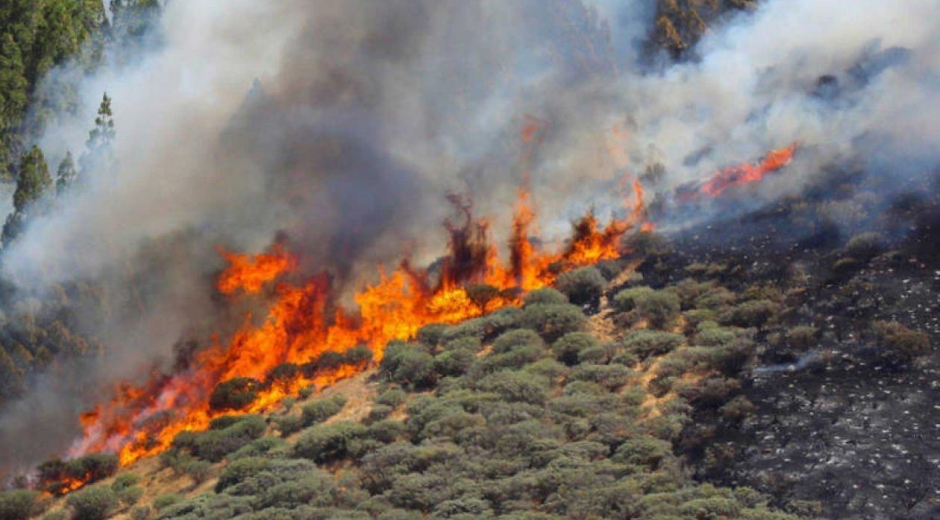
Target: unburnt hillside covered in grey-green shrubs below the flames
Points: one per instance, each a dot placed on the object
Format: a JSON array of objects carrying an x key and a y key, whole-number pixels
[{"x": 519, "y": 414}]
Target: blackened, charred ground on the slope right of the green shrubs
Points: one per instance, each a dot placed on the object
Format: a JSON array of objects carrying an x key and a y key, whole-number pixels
[{"x": 839, "y": 430}]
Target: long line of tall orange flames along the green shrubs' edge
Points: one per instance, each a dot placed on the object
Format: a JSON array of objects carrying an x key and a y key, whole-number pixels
[{"x": 285, "y": 352}]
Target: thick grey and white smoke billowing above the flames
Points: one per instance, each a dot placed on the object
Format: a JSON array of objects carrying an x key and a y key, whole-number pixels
[{"x": 363, "y": 114}]
